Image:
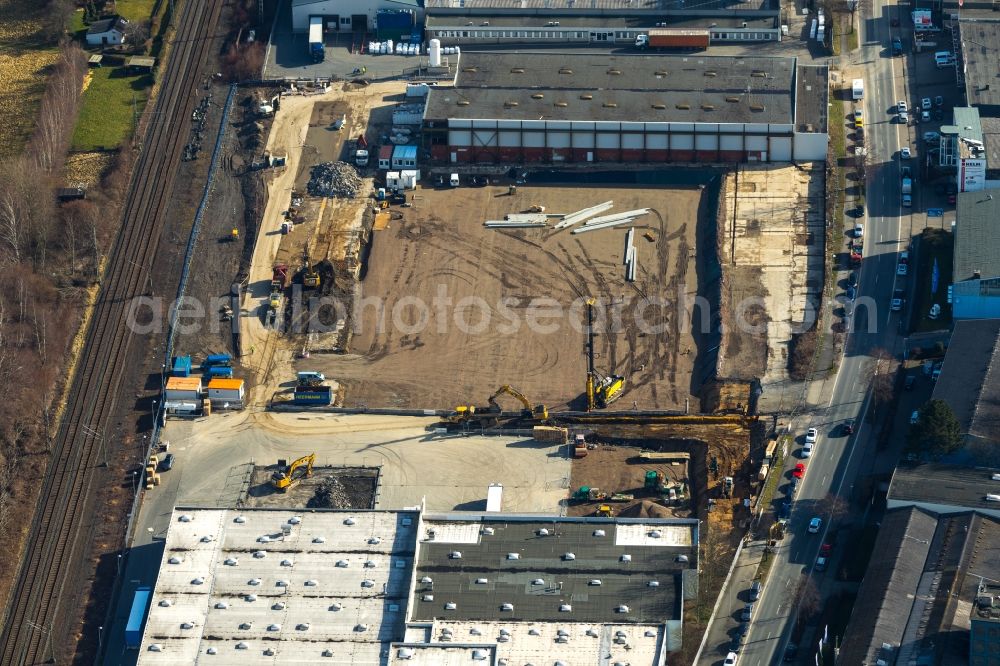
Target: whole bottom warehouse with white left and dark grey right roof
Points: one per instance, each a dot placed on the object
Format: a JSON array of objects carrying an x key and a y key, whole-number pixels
[{"x": 351, "y": 587}]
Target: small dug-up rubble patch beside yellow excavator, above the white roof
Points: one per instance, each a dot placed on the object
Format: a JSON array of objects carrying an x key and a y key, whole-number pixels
[{"x": 345, "y": 488}]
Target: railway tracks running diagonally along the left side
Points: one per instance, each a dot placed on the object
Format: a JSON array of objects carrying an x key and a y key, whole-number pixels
[{"x": 31, "y": 633}]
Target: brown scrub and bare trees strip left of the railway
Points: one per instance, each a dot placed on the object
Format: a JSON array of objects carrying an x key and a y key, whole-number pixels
[{"x": 52, "y": 253}]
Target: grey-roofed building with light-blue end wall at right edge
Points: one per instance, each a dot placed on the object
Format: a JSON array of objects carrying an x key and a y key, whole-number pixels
[{"x": 976, "y": 257}]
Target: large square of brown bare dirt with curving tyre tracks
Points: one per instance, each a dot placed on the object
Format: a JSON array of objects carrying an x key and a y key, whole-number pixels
[{"x": 440, "y": 250}]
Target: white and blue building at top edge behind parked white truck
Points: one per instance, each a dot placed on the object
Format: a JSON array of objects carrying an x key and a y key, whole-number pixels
[{"x": 354, "y": 15}]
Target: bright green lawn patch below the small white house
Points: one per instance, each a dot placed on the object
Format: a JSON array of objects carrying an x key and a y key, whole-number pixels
[{"x": 110, "y": 105}]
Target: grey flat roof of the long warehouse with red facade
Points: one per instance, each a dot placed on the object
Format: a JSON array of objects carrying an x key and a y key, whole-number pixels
[{"x": 706, "y": 89}]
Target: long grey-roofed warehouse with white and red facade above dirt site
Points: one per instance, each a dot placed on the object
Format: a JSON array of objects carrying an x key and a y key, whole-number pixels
[{"x": 552, "y": 108}]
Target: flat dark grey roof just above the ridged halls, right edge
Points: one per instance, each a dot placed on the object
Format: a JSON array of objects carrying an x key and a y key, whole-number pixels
[{"x": 943, "y": 488}]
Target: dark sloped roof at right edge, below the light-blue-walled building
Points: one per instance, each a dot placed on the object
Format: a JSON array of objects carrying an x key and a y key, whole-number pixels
[{"x": 970, "y": 378}]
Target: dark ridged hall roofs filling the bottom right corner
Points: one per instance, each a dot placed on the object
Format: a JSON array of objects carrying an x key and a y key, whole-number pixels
[{"x": 919, "y": 596}]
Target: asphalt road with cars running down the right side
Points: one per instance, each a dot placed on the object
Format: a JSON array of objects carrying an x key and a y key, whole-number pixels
[{"x": 836, "y": 457}]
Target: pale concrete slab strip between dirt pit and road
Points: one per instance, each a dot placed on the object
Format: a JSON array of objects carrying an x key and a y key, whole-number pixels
[{"x": 771, "y": 250}]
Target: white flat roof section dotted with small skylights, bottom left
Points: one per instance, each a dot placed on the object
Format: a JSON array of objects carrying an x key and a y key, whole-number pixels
[{"x": 299, "y": 583}]
